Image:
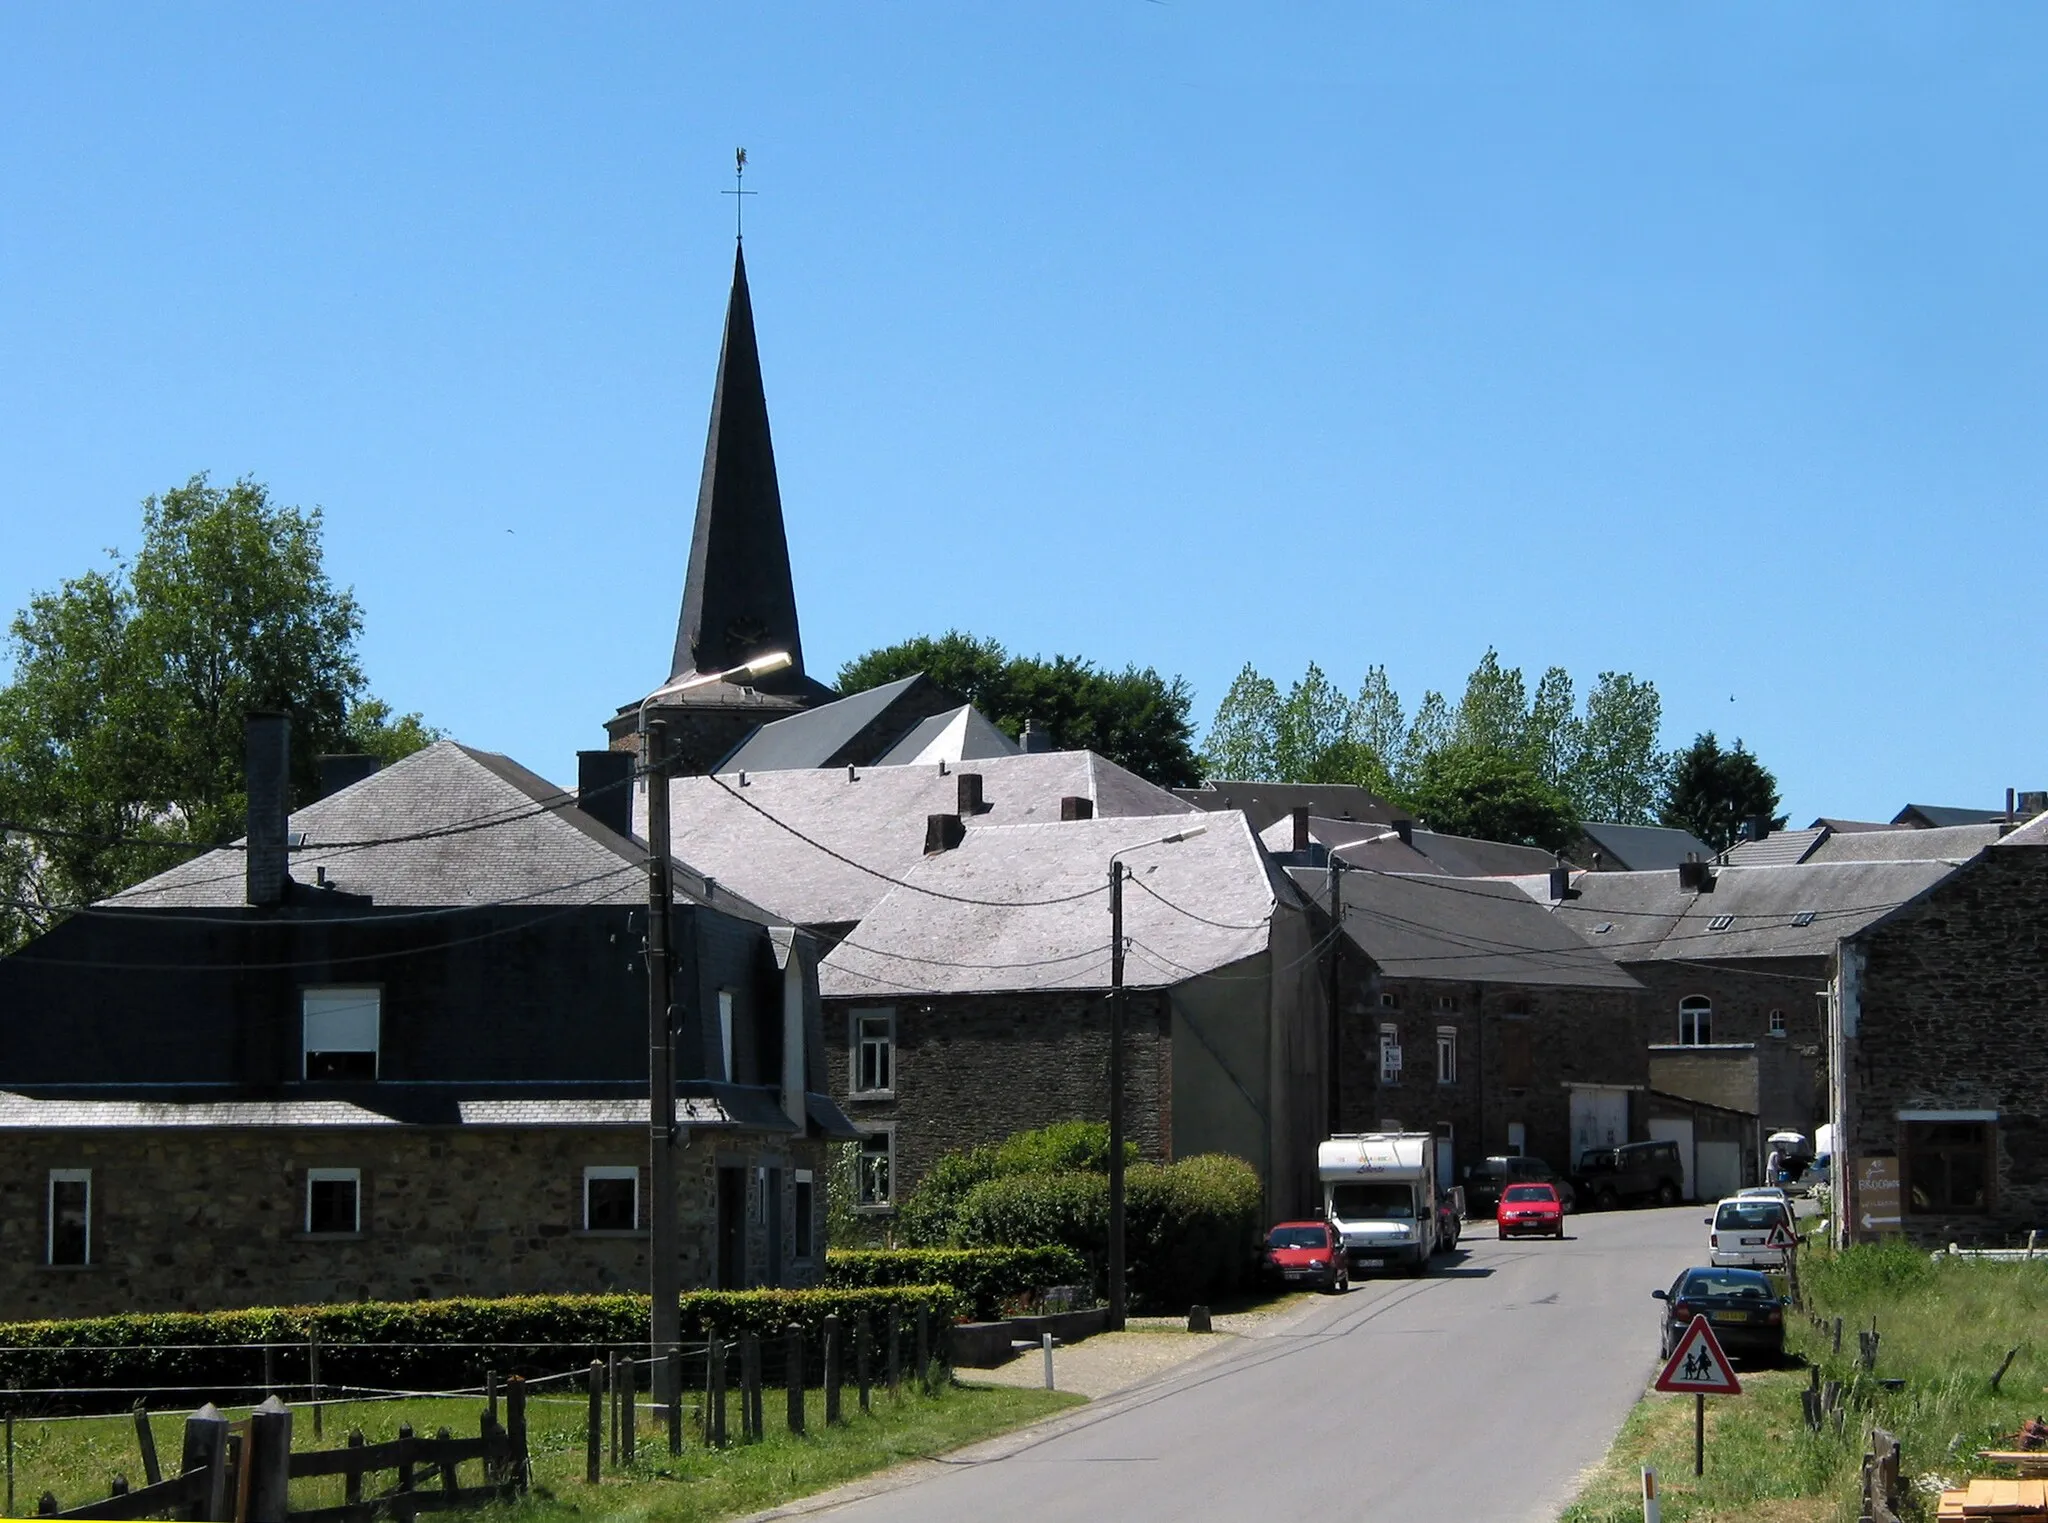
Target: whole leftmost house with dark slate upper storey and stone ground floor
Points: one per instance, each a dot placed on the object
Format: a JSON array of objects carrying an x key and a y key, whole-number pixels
[{"x": 394, "y": 1045}]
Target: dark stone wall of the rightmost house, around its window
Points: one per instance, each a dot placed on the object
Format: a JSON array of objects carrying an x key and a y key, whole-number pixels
[{"x": 1953, "y": 998}]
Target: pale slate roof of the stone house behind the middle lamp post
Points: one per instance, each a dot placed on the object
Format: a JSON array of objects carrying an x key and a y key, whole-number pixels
[{"x": 1191, "y": 908}]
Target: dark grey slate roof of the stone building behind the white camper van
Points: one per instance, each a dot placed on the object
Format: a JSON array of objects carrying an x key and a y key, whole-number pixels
[{"x": 1476, "y": 930}]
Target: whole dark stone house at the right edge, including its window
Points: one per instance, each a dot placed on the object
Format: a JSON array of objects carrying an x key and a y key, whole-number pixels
[{"x": 1938, "y": 1072}]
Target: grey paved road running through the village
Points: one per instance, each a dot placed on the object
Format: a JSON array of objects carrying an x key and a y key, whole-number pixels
[{"x": 1478, "y": 1393}]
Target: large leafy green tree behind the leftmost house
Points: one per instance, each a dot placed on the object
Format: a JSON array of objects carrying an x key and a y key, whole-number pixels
[{"x": 122, "y": 728}]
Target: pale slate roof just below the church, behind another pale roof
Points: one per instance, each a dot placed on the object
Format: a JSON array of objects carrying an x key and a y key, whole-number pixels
[{"x": 792, "y": 840}]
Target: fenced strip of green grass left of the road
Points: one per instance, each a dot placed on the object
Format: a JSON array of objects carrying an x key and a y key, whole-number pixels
[{"x": 79, "y": 1459}]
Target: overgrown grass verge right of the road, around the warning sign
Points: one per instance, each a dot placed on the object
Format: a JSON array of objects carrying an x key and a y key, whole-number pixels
[{"x": 1945, "y": 1332}]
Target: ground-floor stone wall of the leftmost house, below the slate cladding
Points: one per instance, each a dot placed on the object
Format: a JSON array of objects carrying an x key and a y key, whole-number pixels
[{"x": 187, "y": 1219}]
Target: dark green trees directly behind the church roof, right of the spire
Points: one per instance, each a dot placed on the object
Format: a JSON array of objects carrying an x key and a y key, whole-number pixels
[{"x": 1136, "y": 717}]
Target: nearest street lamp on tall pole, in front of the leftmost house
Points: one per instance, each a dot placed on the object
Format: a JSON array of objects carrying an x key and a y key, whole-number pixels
[{"x": 665, "y": 1321}]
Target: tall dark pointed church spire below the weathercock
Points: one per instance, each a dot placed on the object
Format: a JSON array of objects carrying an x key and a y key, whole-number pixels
[{"x": 738, "y": 601}]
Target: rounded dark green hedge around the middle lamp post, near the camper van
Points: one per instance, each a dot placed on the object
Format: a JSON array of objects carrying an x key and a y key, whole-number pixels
[{"x": 1191, "y": 1227}]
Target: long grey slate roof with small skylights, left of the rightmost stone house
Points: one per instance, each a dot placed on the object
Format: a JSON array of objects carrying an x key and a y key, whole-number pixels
[{"x": 1652, "y": 920}]
